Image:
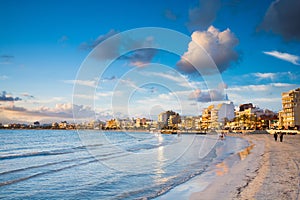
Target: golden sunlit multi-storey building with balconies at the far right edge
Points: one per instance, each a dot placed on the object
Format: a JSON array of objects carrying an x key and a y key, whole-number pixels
[{"x": 289, "y": 117}]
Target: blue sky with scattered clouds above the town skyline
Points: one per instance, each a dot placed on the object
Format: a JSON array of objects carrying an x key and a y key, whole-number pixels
[{"x": 96, "y": 60}]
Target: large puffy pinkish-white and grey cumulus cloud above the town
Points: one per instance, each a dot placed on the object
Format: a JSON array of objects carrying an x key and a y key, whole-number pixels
[{"x": 219, "y": 45}]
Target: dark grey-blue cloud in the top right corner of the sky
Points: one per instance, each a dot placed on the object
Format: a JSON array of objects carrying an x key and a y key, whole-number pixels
[{"x": 282, "y": 18}]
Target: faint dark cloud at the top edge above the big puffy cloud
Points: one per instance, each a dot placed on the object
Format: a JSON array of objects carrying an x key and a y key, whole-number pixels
[{"x": 202, "y": 16}]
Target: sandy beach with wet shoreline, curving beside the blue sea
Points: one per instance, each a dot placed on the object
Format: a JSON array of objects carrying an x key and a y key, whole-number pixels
[{"x": 265, "y": 170}]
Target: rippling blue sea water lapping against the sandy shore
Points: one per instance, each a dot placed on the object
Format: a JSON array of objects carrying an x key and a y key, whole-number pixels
[{"x": 66, "y": 164}]
